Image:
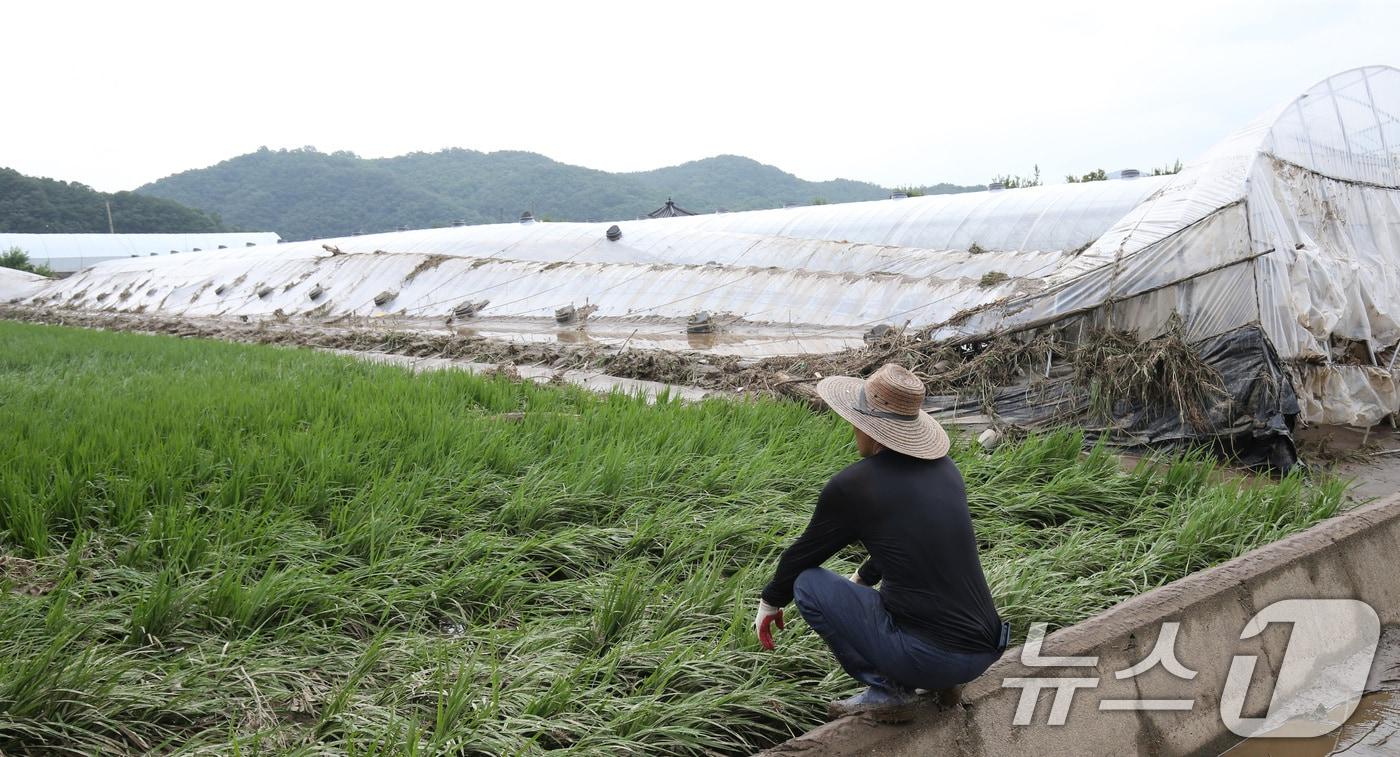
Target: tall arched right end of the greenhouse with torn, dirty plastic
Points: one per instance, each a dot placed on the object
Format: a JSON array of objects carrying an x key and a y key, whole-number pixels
[{"x": 1291, "y": 223}]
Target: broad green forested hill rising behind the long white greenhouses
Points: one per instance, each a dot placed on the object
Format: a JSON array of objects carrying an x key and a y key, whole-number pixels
[{"x": 304, "y": 194}]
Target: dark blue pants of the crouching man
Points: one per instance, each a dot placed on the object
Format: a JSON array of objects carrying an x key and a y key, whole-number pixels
[{"x": 867, "y": 643}]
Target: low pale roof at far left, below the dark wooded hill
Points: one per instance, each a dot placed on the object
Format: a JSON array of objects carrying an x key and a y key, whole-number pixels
[{"x": 72, "y": 253}]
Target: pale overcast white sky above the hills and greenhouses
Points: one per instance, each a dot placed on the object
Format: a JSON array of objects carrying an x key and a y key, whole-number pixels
[{"x": 120, "y": 94}]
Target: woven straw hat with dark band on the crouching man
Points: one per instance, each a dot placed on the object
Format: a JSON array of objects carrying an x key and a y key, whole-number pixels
[{"x": 890, "y": 408}]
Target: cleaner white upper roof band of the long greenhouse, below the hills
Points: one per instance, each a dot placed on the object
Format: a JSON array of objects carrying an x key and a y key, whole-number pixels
[{"x": 927, "y": 236}]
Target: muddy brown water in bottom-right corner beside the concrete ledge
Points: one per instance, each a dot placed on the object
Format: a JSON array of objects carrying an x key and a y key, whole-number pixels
[{"x": 1373, "y": 731}]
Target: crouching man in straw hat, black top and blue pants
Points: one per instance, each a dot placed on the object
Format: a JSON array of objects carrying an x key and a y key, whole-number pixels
[{"x": 932, "y": 625}]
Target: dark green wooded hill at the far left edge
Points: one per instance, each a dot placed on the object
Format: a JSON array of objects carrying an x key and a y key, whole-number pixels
[{"x": 31, "y": 205}]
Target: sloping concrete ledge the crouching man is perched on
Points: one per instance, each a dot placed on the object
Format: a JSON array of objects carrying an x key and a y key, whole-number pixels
[{"x": 1346, "y": 558}]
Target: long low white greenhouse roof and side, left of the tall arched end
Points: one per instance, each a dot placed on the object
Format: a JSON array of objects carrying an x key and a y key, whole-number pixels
[{"x": 752, "y": 268}]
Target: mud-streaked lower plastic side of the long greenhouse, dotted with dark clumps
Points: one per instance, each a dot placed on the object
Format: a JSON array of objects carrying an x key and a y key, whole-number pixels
[{"x": 516, "y": 289}]
